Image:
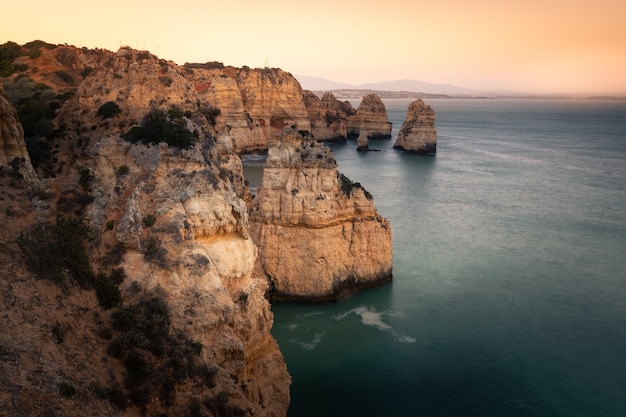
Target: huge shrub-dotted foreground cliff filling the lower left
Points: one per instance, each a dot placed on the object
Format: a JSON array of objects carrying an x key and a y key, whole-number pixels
[{"x": 169, "y": 220}]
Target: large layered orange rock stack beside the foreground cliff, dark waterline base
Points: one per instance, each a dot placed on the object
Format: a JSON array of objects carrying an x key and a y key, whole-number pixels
[{"x": 319, "y": 235}]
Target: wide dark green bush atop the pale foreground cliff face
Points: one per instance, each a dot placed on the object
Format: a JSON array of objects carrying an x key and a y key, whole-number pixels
[{"x": 159, "y": 126}]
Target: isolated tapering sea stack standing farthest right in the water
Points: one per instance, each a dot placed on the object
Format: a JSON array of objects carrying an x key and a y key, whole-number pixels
[{"x": 418, "y": 133}]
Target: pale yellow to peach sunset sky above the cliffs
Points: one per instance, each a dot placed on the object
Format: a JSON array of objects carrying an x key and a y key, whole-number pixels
[{"x": 533, "y": 46}]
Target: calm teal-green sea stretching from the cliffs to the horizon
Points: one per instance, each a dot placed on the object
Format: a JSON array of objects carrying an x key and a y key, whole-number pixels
[{"x": 509, "y": 289}]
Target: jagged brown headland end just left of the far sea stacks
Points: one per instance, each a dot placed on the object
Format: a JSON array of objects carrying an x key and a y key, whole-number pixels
[{"x": 328, "y": 117}]
